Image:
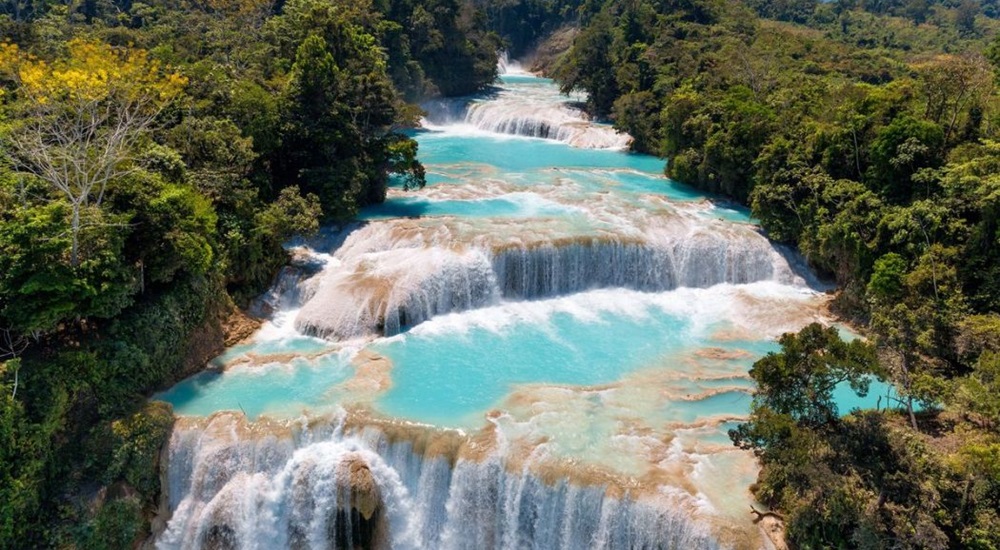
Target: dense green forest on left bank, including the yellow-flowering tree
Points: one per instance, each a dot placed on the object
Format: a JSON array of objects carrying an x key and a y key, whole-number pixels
[{"x": 153, "y": 158}]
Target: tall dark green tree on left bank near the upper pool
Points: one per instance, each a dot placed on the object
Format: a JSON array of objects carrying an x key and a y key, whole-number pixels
[{"x": 340, "y": 116}]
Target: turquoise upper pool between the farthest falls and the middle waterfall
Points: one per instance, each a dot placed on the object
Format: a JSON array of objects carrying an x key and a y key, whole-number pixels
[{"x": 536, "y": 178}]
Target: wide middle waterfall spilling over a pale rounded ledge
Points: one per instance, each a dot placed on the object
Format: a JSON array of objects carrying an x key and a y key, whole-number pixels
[{"x": 391, "y": 275}]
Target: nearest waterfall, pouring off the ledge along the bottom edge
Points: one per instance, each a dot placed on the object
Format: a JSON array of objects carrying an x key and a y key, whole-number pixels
[{"x": 315, "y": 488}]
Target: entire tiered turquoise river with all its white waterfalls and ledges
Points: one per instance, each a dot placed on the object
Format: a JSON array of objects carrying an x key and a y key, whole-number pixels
[{"x": 544, "y": 348}]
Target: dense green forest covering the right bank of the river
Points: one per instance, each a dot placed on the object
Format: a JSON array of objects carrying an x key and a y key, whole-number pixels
[{"x": 867, "y": 134}]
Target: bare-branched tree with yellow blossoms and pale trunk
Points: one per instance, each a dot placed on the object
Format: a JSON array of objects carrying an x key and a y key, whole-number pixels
[{"x": 77, "y": 120}]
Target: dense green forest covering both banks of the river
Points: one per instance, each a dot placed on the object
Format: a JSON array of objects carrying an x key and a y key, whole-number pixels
[{"x": 154, "y": 156}]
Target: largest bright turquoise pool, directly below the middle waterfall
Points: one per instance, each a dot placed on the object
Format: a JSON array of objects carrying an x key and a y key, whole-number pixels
[{"x": 452, "y": 377}]
